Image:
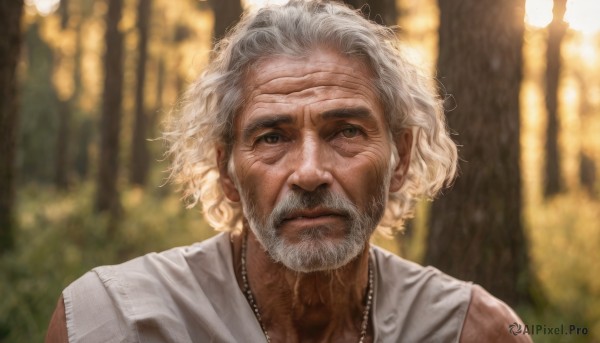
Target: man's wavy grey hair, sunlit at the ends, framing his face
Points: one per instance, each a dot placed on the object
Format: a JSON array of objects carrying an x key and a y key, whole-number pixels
[{"x": 205, "y": 116}]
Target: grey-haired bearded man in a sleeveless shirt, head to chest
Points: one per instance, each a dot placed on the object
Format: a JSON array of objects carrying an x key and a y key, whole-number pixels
[{"x": 306, "y": 134}]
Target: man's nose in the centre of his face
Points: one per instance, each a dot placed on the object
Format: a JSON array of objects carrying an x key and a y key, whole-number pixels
[{"x": 312, "y": 168}]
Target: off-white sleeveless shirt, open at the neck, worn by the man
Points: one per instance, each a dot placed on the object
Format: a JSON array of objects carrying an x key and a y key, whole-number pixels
[{"x": 190, "y": 294}]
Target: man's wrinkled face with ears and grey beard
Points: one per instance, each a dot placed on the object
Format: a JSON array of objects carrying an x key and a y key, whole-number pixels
[{"x": 311, "y": 160}]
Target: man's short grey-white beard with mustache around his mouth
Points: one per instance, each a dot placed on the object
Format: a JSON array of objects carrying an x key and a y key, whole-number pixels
[{"x": 315, "y": 251}]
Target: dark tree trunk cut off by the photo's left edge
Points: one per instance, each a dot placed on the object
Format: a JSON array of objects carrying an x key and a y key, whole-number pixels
[{"x": 10, "y": 46}]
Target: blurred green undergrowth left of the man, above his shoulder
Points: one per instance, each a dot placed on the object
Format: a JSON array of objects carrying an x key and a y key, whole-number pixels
[{"x": 61, "y": 238}]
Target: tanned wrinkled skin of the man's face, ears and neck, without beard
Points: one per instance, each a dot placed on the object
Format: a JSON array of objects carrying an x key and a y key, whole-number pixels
[{"x": 309, "y": 125}]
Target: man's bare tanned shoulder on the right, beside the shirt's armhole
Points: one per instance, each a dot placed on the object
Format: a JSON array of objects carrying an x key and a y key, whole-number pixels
[{"x": 488, "y": 320}]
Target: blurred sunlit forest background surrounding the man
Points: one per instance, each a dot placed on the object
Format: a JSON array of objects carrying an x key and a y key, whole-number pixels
[{"x": 83, "y": 177}]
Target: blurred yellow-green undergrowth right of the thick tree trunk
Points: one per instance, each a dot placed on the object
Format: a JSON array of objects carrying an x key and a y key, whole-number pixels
[{"x": 565, "y": 247}]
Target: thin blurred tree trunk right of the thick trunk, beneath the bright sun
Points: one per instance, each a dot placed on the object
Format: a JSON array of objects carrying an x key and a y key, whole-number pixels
[{"x": 556, "y": 32}]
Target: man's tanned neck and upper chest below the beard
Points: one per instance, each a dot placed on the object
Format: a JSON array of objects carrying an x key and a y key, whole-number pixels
[{"x": 317, "y": 306}]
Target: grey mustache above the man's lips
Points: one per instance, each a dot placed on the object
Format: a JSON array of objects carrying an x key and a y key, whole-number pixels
[{"x": 302, "y": 200}]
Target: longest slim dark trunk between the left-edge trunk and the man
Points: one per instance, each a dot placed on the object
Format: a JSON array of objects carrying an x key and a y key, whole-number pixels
[{"x": 107, "y": 198}]
